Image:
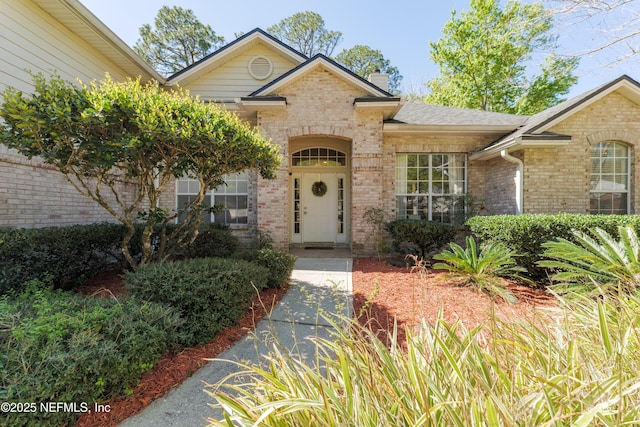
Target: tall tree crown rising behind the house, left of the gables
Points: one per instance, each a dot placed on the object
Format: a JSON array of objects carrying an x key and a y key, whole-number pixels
[{"x": 176, "y": 40}]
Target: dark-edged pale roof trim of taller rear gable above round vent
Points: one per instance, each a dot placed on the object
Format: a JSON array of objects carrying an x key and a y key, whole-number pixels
[{"x": 232, "y": 50}]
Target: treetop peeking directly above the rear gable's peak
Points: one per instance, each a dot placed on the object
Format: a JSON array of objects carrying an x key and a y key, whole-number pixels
[{"x": 305, "y": 32}]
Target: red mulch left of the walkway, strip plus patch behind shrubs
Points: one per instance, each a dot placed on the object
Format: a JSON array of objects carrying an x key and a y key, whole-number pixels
[{"x": 171, "y": 370}]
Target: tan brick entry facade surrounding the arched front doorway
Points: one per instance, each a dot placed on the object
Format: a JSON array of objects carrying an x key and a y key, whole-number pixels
[{"x": 320, "y": 104}]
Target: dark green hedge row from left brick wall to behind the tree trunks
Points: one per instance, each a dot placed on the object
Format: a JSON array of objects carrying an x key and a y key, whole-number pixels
[{"x": 67, "y": 256}]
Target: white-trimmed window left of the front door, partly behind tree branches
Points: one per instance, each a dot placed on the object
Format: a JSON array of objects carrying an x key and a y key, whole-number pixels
[{"x": 230, "y": 199}]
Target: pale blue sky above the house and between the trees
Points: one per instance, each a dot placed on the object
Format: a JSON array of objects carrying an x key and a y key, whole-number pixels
[{"x": 400, "y": 29}]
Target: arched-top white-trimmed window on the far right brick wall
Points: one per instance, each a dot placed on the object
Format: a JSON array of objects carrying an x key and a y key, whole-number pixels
[{"x": 609, "y": 183}]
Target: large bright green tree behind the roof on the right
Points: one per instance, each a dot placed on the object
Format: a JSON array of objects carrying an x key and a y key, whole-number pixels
[{"x": 483, "y": 57}]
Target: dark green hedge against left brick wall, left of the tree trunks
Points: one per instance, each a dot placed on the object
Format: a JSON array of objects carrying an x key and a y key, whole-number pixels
[{"x": 66, "y": 256}]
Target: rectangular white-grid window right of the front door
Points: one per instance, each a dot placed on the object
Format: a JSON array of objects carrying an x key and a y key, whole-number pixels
[{"x": 430, "y": 186}]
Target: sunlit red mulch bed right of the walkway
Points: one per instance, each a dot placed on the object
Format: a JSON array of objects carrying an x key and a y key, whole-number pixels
[{"x": 384, "y": 293}]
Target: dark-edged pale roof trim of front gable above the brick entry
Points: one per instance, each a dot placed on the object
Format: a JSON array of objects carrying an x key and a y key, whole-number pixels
[{"x": 312, "y": 64}]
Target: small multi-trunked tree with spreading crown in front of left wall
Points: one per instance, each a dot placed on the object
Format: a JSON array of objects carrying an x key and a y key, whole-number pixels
[{"x": 108, "y": 133}]
